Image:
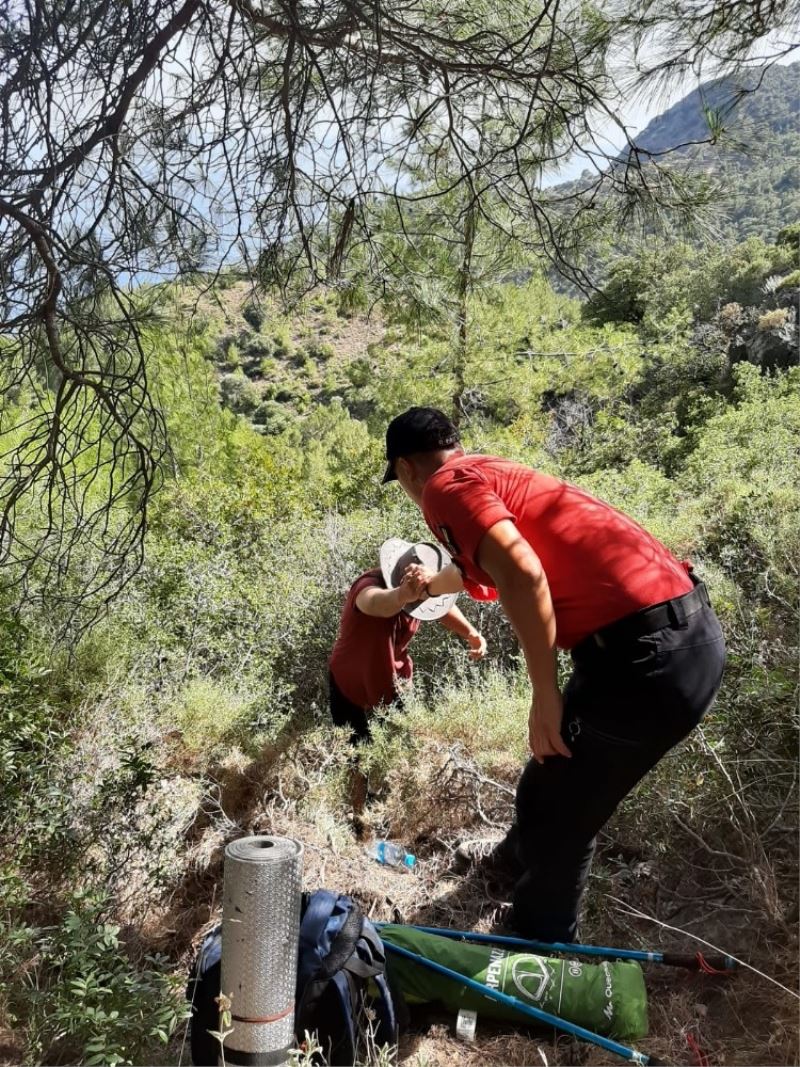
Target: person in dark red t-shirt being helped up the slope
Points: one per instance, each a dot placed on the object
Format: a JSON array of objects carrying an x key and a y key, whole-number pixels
[{"x": 371, "y": 666}]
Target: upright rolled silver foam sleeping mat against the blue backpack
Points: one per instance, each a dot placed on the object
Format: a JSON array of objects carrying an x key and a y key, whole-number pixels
[{"x": 261, "y": 923}]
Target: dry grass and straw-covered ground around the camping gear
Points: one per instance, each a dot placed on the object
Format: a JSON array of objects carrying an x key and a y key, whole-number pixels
[{"x": 301, "y": 792}]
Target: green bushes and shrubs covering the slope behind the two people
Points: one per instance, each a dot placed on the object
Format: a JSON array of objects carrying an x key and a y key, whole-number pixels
[{"x": 217, "y": 651}]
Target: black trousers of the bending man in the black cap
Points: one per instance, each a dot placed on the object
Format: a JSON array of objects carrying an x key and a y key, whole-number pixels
[{"x": 626, "y": 707}]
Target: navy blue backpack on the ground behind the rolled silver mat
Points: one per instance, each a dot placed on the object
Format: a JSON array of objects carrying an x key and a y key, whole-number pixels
[{"x": 343, "y": 994}]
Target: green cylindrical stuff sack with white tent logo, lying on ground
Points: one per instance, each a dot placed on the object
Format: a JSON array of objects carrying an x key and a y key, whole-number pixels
[{"x": 609, "y": 998}]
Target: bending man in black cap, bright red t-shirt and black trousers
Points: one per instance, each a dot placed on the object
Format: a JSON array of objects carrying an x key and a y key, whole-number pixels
[{"x": 574, "y": 574}]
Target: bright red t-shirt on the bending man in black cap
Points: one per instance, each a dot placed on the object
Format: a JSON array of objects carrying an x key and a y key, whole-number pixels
[{"x": 601, "y": 566}]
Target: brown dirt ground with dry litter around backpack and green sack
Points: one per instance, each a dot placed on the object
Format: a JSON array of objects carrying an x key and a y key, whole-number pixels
[{"x": 638, "y": 898}]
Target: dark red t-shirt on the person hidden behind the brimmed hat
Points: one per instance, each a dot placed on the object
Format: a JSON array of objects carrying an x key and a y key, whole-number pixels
[{"x": 372, "y": 652}]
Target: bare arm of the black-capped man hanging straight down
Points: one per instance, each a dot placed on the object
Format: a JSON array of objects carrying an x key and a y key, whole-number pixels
[{"x": 522, "y": 587}]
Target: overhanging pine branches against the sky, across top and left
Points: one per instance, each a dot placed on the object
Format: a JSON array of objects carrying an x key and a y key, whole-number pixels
[{"x": 162, "y": 138}]
